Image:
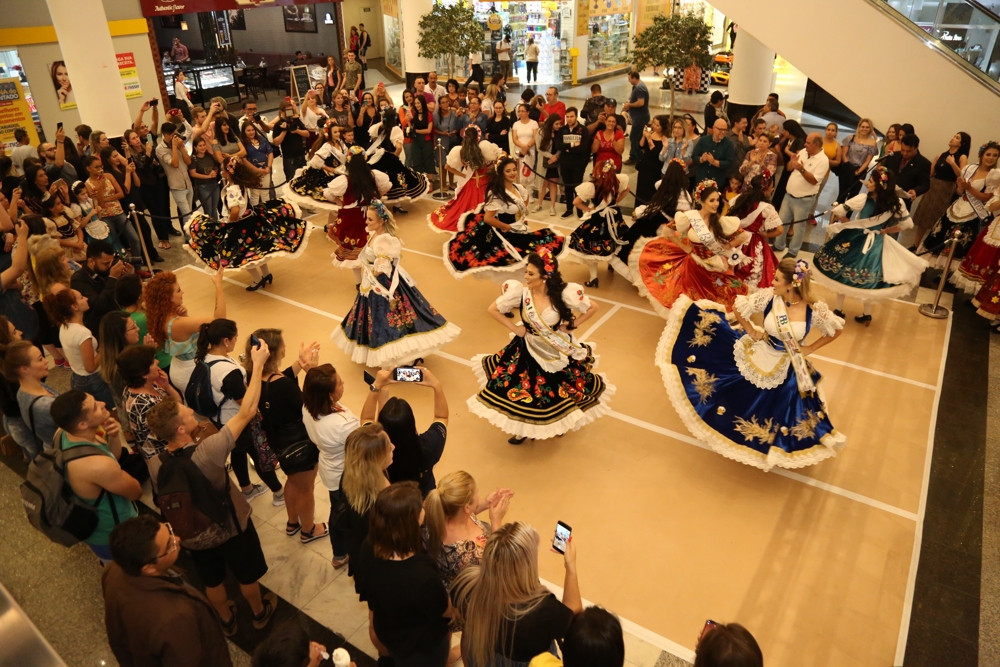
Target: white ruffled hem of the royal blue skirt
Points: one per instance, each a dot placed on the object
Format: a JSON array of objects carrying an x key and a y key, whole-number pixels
[{"x": 670, "y": 374}]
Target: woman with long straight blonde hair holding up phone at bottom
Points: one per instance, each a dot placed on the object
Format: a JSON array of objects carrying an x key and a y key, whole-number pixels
[{"x": 511, "y": 616}]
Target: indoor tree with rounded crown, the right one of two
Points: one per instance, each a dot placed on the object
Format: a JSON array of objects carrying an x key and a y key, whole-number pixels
[{"x": 673, "y": 42}]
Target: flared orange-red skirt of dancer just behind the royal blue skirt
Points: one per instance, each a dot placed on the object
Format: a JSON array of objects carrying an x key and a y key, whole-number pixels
[{"x": 663, "y": 271}]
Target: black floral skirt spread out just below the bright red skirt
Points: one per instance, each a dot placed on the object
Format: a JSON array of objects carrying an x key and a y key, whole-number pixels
[{"x": 477, "y": 249}]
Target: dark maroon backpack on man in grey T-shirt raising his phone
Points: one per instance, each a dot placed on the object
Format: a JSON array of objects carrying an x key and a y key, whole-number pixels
[{"x": 197, "y": 512}]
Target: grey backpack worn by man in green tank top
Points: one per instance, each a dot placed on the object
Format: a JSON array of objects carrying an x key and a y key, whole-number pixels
[{"x": 48, "y": 498}]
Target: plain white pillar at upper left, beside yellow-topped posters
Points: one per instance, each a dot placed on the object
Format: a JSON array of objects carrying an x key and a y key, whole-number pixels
[{"x": 85, "y": 41}]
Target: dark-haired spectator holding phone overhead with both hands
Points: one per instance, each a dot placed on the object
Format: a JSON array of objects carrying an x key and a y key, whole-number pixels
[{"x": 416, "y": 453}]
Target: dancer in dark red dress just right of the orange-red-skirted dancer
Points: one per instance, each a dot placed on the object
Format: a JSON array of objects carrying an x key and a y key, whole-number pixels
[{"x": 759, "y": 218}]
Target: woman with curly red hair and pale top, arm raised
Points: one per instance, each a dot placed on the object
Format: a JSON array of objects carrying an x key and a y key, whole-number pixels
[{"x": 173, "y": 329}]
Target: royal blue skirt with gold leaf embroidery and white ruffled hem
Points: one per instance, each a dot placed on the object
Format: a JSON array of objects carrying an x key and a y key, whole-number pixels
[{"x": 759, "y": 427}]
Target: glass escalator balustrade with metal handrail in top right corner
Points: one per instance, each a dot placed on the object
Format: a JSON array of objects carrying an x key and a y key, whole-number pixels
[{"x": 965, "y": 31}]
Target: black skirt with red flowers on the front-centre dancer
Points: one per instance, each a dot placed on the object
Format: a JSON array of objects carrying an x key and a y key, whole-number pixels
[{"x": 520, "y": 398}]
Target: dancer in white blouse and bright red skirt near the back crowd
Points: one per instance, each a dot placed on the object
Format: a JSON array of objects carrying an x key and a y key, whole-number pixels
[{"x": 472, "y": 163}]
